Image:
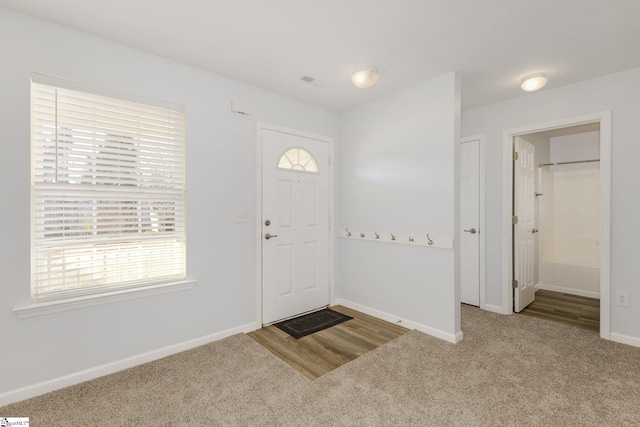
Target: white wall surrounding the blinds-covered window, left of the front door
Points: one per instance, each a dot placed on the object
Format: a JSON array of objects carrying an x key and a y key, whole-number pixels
[{"x": 221, "y": 164}]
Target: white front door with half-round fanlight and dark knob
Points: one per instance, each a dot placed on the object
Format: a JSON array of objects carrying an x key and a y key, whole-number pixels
[{"x": 295, "y": 225}]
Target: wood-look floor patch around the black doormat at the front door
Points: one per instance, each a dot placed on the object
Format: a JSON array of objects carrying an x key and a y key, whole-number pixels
[{"x": 321, "y": 352}]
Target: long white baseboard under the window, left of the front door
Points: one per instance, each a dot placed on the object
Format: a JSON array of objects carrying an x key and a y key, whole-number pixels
[{"x": 38, "y": 389}]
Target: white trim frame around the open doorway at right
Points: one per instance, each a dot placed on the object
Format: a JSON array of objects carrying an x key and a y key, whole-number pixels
[{"x": 604, "y": 118}]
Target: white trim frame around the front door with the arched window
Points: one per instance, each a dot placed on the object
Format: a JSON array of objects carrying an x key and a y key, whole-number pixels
[{"x": 260, "y": 126}]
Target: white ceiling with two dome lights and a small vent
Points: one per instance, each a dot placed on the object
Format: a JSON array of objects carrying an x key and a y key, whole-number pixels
[{"x": 273, "y": 43}]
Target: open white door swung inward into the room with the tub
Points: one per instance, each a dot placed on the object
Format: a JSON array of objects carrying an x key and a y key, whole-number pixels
[{"x": 523, "y": 230}]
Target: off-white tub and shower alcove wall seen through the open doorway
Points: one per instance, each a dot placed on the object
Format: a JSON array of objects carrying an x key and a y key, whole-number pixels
[{"x": 570, "y": 220}]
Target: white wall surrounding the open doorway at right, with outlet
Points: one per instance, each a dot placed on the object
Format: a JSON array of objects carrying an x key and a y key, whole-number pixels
[{"x": 619, "y": 93}]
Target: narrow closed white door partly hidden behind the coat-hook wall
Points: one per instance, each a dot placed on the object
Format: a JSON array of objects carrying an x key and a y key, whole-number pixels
[{"x": 469, "y": 222}]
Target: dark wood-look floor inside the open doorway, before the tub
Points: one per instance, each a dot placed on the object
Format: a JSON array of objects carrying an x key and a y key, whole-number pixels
[{"x": 573, "y": 310}]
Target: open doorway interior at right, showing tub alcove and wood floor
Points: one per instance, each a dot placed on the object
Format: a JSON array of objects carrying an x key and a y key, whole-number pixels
[{"x": 564, "y": 228}]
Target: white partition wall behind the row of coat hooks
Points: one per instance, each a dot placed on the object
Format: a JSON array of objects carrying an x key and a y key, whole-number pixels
[{"x": 397, "y": 174}]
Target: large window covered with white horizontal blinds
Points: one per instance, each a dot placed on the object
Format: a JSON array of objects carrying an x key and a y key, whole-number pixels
[{"x": 108, "y": 190}]
